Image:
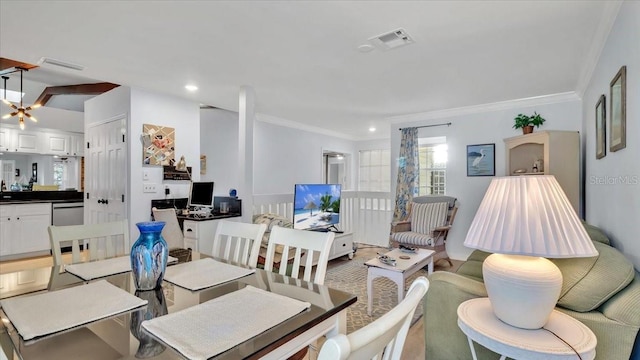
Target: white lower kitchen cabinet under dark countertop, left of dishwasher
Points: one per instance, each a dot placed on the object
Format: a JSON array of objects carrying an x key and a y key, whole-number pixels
[{"x": 24, "y": 229}]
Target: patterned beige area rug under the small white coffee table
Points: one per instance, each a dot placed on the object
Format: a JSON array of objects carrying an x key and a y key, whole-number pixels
[{"x": 351, "y": 276}]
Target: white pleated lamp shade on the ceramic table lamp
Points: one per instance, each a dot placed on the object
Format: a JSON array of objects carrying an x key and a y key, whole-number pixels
[{"x": 528, "y": 215}]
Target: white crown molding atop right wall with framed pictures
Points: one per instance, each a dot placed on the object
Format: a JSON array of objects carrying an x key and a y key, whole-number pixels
[{"x": 608, "y": 19}]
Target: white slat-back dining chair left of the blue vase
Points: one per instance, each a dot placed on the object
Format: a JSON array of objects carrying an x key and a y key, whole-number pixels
[{"x": 104, "y": 240}]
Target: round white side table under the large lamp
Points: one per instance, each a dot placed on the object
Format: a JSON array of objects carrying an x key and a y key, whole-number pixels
[{"x": 477, "y": 321}]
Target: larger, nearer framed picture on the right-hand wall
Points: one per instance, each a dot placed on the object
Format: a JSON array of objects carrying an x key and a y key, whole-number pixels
[{"x": 618, "y": 111}]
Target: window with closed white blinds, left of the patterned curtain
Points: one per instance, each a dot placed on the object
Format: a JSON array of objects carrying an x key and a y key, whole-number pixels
[{"x": 375, "y": 170}]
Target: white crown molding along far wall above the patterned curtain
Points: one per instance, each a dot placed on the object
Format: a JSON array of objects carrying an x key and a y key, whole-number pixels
[{"x": 497, "y": 106}]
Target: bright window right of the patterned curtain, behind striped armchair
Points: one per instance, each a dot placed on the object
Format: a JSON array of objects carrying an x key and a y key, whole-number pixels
[{"x": 432, "y": 155}]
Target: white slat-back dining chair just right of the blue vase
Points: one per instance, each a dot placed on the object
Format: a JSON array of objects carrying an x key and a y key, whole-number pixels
[{"x": 238, "y": 242}]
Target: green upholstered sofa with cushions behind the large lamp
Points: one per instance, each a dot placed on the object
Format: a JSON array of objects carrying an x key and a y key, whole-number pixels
[{"x": 603, "y": 292}]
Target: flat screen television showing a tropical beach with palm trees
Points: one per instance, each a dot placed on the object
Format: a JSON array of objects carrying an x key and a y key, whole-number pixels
[{"x": 316, "y": 206}]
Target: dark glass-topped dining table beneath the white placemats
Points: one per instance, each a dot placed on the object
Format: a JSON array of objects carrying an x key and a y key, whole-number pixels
[{"x": 327, "y": 314}]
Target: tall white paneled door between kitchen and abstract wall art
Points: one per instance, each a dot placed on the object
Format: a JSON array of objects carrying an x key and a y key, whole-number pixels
[{"x": 106, "y": 172}]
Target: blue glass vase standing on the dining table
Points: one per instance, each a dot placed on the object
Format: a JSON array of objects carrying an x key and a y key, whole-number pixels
[{"x": 149, "y": 256}]
